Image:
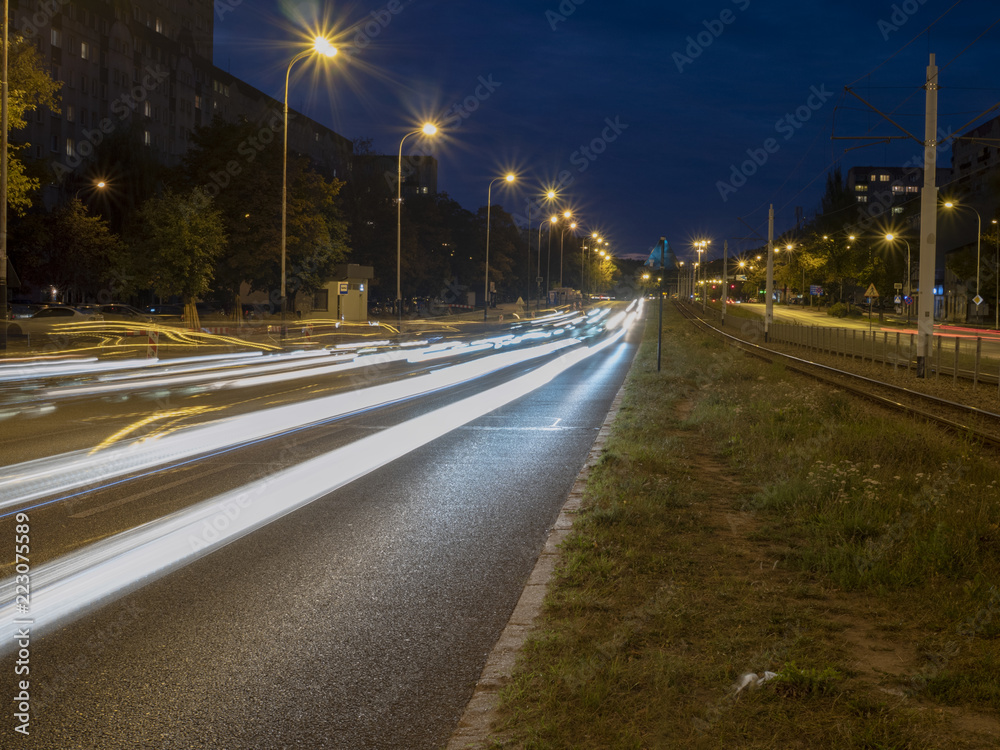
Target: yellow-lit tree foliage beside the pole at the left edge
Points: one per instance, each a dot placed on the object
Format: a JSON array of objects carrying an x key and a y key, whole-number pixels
[{"x": 29, "y": 86}]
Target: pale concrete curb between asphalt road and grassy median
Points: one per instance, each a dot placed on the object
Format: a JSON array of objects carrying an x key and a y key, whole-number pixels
[{"x": 472, "y": 732}]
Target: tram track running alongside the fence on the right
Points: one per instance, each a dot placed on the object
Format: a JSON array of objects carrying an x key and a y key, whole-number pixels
[{"x": 973, "y": 422}]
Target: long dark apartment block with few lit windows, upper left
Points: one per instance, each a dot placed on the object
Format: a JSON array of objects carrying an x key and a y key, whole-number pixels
[{"x": 147, "y": 66}]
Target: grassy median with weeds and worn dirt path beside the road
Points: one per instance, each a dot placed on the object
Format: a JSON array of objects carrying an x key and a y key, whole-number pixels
[{"x": 746, "y": 521}]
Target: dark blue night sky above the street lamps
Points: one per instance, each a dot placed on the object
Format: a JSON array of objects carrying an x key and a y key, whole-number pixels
[{"x": 665, "y": 97}]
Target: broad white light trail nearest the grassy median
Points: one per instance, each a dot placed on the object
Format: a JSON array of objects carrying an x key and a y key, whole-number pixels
[{"x": 74, "y": 583}]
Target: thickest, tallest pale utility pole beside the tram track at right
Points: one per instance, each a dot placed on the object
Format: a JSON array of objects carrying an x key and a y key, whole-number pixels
[{"x": 928, "y": 227}]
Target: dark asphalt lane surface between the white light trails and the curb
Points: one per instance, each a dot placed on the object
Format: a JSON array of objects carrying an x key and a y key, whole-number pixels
[{"x": 361, "y": 620}]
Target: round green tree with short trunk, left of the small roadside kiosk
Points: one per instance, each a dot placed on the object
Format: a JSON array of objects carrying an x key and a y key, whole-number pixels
[{"x": 177, "y": 240}]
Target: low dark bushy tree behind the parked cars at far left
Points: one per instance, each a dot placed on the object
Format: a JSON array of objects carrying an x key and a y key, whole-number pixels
[{"x": 73, "y": 251}]
